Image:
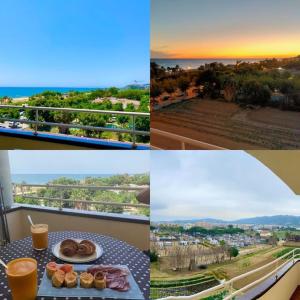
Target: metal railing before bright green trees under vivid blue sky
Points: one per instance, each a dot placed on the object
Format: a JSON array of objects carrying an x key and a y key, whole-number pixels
[{"x": 37, "y": 123}]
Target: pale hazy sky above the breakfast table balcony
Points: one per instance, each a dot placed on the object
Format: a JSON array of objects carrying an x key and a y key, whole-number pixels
[{"x": 79, "y": 162}]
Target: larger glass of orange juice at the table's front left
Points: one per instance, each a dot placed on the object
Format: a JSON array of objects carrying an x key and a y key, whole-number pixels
[{"x": 22, "y": 278}]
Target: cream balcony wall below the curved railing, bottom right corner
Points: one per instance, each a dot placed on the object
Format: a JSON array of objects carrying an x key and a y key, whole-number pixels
[{"x": 286, "y": 285}]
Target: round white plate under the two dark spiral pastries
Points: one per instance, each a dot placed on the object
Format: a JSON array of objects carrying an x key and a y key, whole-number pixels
[{"x": 77, "y": 258}]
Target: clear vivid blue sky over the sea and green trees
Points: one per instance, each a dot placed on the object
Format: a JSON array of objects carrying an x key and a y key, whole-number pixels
[{"x": 74, "y": 43}]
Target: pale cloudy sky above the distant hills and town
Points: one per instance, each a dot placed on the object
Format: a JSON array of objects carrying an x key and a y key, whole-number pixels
[{"x": 227, "y": 185}]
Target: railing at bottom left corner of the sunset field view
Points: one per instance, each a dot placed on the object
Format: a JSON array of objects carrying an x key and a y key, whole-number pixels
[{"x": 183, "y": 141}]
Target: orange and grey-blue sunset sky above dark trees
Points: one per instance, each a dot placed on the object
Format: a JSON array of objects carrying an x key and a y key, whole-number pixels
[{"x": 225, "y": 29}]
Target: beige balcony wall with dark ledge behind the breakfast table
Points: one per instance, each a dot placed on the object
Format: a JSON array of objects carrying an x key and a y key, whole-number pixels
[{"x": 131, "y": 229}]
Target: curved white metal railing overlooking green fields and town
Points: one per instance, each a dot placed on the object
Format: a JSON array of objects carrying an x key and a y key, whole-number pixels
[{"x": 228, "y": 285}]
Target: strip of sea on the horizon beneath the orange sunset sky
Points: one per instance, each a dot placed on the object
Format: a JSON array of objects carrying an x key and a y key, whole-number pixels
[{"x": 196, "y": 63}]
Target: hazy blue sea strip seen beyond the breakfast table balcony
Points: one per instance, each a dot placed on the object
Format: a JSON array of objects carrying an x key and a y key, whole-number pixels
[{"x": 45, "y": 178}]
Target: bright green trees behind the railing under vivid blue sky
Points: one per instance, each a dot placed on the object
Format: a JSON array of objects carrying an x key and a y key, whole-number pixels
[{"x": 89, "y": 100}]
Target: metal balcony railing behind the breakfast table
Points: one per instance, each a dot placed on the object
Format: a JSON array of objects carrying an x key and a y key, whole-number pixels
[{"x": 20, "y": 190}]
